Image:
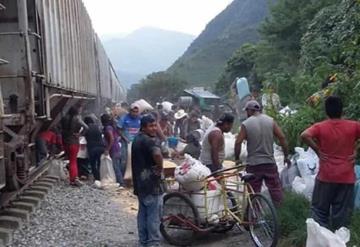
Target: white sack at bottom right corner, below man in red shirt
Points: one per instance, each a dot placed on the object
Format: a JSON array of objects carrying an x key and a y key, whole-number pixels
[{"x": 318, "y": 236}]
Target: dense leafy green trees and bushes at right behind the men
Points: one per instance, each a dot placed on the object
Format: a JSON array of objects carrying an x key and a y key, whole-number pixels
[{"x": 302, "y": 43}]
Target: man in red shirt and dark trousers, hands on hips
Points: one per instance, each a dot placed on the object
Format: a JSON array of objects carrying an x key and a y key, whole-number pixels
[{"x": 334, "y": 141}]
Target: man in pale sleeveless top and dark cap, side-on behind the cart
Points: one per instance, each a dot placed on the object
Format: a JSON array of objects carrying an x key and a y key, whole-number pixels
[{"x": 213, "y": 147}]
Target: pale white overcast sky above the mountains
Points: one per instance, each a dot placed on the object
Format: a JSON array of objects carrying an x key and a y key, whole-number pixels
[{"x": 125, "y": 16}]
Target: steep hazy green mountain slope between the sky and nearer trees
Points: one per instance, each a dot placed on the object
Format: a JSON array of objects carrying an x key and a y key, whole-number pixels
[{"x": 204, "y": 60}]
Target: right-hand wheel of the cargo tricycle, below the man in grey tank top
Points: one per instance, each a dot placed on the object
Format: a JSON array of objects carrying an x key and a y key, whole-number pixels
[{"x": 263, "y": 225}]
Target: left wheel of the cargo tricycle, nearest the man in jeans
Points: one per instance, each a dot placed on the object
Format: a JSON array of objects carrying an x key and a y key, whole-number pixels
[{"x": 179, "y": 213}]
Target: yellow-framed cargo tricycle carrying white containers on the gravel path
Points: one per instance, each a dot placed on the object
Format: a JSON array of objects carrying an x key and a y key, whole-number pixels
[{"x": 233, "y": 203}]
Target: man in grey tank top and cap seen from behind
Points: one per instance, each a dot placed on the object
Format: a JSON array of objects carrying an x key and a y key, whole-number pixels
[{"x": 259, "y": 131}]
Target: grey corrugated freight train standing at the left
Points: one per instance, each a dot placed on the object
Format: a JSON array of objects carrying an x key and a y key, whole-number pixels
[{"x": 50, "y": 60}]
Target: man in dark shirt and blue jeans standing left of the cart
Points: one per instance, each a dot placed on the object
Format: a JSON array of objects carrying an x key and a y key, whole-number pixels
[{"x": 147, "y": 166}]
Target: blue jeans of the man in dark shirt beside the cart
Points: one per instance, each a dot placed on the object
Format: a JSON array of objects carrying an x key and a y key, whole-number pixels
[{"x": 148, "y": 220}]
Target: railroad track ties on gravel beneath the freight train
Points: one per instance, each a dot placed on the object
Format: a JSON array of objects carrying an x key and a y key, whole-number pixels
[{"x": 17, "y": 206}]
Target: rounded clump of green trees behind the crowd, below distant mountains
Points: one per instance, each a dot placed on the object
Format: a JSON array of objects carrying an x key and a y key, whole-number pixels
[{"x": 157, "y": 87}]
